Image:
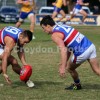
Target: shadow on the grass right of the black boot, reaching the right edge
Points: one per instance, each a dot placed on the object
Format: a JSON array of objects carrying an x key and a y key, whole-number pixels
[{"x": 91, "y": 86}]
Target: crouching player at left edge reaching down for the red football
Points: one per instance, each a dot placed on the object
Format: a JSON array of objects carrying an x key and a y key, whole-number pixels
[{"x": 9, "y": 38}]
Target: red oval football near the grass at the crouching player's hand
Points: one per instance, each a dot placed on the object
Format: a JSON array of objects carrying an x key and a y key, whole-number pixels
[{"x": 25, "y": 72}]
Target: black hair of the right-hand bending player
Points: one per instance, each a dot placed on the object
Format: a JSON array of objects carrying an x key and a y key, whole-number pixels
[{"x": 47, "y": 20}]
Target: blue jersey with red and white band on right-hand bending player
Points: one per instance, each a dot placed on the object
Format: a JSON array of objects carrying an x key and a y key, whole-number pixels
[{"x": 73, "y": 39}]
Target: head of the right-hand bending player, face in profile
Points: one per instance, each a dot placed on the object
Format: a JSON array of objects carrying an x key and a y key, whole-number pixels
[{"x": 47, "y": 24}]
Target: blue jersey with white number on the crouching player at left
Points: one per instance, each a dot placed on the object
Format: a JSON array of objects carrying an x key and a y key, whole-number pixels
[{"x": 10, "y": 31}]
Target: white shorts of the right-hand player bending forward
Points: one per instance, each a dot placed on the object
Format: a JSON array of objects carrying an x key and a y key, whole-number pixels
[{"x": 88, "y": 54}]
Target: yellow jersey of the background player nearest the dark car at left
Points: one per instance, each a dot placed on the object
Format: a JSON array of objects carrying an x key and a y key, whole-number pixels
[{"x": 27, "y": 7}]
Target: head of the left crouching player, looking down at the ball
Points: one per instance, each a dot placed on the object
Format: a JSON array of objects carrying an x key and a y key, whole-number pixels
[{"x": 25, "y": 37}]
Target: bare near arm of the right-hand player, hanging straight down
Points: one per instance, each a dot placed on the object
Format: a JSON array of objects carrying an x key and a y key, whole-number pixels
[{"x": 58, "y": 39}]
